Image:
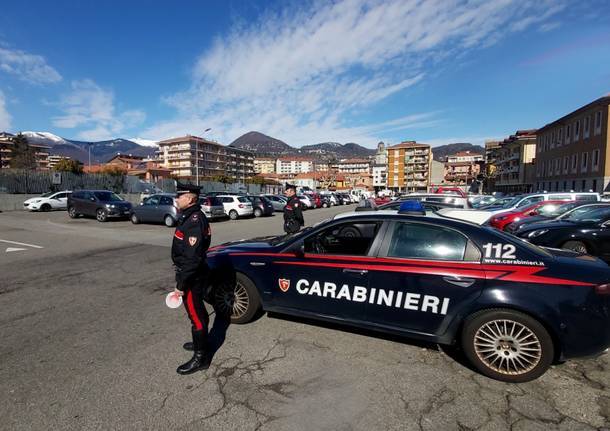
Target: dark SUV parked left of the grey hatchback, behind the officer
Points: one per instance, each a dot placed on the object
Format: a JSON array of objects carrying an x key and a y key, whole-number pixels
[{"x": 100, "y": 204}]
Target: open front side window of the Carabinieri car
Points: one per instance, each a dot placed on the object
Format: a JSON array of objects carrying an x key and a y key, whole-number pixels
[{"x": 351, "y": 238}]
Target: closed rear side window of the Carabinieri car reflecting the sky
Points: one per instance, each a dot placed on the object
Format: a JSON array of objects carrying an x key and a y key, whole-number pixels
[{"x": 421, "y": 241}]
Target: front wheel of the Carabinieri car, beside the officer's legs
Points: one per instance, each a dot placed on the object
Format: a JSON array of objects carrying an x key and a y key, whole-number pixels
[{"x": 239, "y": 301}]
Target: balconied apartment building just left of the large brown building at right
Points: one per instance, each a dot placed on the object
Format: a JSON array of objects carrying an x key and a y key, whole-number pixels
[{"x": 515, "y": 163}]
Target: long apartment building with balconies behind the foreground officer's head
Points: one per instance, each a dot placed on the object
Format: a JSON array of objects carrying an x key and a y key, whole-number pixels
[{"x": 193, "y": 159}]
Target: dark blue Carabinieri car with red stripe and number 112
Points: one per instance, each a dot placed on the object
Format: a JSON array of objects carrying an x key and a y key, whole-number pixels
[{"x": 513, "y": 307}]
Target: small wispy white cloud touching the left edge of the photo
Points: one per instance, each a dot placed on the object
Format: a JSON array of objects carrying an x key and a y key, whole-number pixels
[{"x": 27, "y": 67}]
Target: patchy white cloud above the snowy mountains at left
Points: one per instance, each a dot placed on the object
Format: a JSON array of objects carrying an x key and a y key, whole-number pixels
[{"x": 92, "y": 107}]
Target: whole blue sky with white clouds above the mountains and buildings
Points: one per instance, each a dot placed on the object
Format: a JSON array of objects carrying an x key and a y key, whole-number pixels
[{"x": 435, "y": 71}]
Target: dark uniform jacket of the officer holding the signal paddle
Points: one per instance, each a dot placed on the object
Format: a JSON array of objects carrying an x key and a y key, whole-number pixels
[{"x": 190, "y": 244}]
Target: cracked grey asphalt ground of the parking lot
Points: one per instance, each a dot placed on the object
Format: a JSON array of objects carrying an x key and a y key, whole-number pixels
[{"x": 88, "y": 343}]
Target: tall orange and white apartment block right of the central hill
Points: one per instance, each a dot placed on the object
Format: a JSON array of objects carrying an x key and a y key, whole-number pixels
[{"x": 409, "y": 167}]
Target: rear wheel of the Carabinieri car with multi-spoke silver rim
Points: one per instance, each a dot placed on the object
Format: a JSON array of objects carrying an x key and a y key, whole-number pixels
[{"x": 490, "y": 344}]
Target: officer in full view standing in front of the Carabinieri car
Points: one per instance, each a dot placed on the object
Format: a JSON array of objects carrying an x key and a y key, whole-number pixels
[{"x": 191, "y": 241}]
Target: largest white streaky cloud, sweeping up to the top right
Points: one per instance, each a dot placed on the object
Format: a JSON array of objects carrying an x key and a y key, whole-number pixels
[{"x": 298, "y": 75}]
